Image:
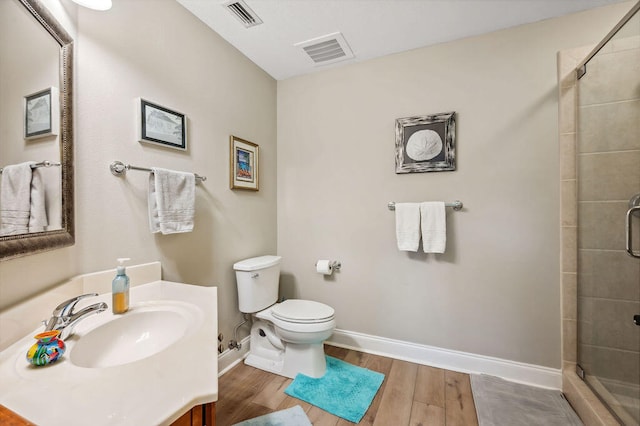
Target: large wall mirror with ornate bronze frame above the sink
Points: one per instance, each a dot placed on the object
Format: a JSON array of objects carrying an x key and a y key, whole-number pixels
[{"x": 56, "y": 146}]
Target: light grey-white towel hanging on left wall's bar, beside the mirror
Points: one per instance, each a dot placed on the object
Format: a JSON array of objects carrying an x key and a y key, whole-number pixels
[{"x": 171, "y": 201}]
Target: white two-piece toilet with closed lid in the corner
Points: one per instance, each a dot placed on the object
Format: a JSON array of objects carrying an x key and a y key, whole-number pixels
[{"x": 286, "y": 338}]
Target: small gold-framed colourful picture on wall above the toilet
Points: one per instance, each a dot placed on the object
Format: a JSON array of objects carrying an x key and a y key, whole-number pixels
[{"x": 244, "y": 164}]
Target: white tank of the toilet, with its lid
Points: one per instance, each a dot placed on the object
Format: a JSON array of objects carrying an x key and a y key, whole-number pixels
[{"x": 258, "y": 280}]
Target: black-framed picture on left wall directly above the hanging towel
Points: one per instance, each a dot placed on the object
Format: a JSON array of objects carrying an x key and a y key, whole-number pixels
[{"x": 161, "y": 126}]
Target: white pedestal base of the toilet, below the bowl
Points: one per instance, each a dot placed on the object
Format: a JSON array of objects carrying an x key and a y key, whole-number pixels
[{"x": 268, "y": 352}]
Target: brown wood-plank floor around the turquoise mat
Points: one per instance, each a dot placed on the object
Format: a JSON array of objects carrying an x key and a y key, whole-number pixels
[{"x": 411, "y": 394}]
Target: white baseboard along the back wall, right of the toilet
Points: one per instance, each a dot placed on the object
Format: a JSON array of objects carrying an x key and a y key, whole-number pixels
[{"x": 464, "y": 362}]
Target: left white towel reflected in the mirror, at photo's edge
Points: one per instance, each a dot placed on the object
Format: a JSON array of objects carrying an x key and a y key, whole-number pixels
[{"x": 15, "y": 199}]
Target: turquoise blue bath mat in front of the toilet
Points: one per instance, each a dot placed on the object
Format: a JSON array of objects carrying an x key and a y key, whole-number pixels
[{"x": 345, "y": 390}]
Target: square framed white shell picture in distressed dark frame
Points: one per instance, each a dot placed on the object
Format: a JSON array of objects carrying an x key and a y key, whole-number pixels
[{"x": 426, "y": 143}]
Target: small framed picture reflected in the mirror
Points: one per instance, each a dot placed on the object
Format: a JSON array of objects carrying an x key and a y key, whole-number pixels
[{"x": 42, "y": 113}]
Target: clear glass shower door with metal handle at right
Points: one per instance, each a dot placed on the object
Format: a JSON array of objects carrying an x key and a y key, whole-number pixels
[{"x": 608, "y": 226}]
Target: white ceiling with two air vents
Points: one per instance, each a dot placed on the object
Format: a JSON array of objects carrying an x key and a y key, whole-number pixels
[{"x": 372, "y": 28}]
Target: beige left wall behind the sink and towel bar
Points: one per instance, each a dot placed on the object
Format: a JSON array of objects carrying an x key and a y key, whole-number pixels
[{"x": 158, "y": 50}]
